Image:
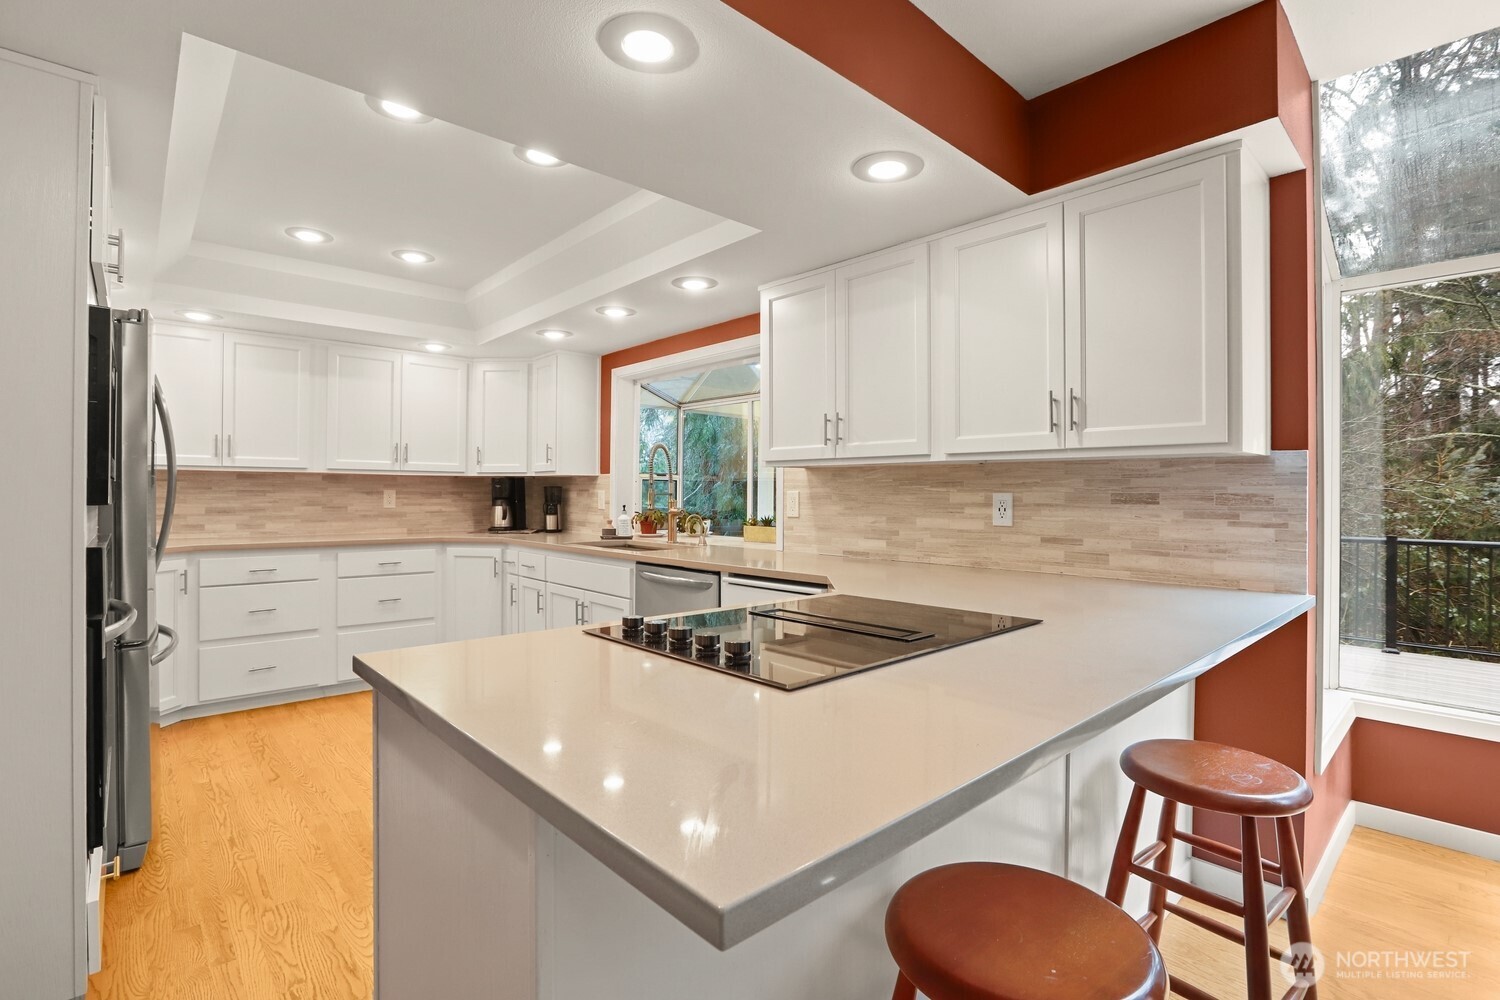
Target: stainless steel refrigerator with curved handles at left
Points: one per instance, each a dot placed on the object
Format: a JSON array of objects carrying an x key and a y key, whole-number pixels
[{"x": 125, "y": 407}]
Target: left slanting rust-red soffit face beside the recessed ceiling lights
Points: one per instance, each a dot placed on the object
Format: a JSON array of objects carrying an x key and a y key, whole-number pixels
[{"x": 899, "y": 55}]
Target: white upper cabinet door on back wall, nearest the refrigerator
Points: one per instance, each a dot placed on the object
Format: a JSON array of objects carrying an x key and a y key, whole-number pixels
[{"x": 190, "y": 365}]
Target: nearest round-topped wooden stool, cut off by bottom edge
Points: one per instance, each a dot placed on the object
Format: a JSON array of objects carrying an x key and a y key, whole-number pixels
[{"x": 988, "y": 932}]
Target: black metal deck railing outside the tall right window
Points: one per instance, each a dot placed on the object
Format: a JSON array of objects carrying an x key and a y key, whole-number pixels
[{"x": 1421, "y": 594}]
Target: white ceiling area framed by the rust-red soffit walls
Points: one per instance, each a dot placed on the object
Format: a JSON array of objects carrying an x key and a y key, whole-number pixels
[{"x": 1039, "y": 47}]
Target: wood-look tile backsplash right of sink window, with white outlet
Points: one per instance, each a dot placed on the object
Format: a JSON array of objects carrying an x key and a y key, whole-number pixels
[{"x": 1238, "y": 524}]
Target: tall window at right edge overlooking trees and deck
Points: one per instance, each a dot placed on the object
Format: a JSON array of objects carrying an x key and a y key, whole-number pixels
[{"x": 1411, "y": 185}]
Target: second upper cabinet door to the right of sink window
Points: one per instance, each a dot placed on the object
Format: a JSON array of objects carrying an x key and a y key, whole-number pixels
[{"x": 883, "y": 358}]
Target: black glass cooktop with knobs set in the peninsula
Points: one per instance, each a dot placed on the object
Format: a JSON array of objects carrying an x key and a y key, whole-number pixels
[{"x": 796, "y": 644}]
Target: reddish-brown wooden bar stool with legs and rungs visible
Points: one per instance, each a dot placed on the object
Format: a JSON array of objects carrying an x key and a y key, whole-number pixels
[{"x": 1225, "y": 780}]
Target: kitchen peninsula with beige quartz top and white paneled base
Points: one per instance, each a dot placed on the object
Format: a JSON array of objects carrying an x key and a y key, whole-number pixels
[{"x": 571, "y": 819}]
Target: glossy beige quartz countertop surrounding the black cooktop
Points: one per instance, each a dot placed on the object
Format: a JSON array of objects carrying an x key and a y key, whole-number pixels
[{"x": 731, "y": 804}]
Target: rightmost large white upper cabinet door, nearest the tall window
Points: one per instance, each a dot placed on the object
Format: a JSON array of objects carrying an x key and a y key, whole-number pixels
[{"x": 1148, "y": 311}]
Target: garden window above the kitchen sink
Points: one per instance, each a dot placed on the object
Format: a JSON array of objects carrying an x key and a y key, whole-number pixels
[{"x": 710, "y": 425}]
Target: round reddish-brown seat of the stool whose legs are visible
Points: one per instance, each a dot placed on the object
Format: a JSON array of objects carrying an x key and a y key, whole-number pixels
[{"x": 1216, "y": 777}]
